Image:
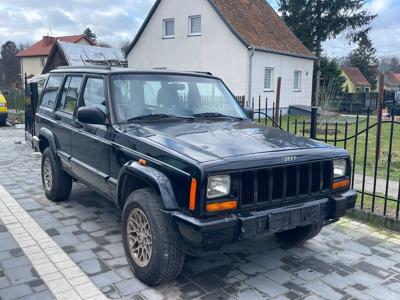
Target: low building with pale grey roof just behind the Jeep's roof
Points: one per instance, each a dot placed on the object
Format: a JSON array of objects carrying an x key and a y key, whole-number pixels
[{"x": 75, "y": 55}]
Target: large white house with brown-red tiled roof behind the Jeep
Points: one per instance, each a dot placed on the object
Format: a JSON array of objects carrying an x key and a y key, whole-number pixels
[{"x": 244, "y": 42}]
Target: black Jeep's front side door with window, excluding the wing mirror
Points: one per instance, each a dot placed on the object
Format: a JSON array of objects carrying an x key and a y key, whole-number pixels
[{"x": 90, "y": 143}]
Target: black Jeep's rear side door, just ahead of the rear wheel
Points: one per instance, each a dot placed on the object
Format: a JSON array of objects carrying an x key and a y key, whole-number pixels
[{"x": 63, "y": 115}]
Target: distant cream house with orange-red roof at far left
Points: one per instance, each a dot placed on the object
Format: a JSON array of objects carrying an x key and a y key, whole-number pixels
[{"x": 34, "y": 58}]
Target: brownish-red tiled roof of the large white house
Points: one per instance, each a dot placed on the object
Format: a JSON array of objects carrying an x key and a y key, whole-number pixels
[{"x": 256, "y": 22}]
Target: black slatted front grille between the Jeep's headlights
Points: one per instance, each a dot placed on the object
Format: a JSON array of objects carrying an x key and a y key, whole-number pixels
[{"x": 285, "y": 182}]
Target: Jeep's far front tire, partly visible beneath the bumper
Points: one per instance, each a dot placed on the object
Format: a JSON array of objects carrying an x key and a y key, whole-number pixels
[{"x": 299, "y": 235}]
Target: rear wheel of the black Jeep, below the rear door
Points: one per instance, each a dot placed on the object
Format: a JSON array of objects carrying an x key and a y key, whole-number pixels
[{"x": 58, "y": 188}]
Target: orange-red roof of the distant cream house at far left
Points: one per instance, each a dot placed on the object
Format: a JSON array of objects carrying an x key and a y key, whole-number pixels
[{"x": 43, "y": 47}]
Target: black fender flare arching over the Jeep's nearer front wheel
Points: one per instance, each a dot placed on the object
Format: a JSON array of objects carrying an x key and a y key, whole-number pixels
[{"x": 150, "y": 176}]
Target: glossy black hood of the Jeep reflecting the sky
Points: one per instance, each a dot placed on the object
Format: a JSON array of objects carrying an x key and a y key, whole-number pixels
[{"x": 207, "y": 141}]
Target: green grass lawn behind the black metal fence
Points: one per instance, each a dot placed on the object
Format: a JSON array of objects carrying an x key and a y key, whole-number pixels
[{"x": 370, "y": 149}]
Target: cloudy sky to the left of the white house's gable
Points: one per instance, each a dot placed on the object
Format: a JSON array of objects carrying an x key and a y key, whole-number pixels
[{"x": 113, "y": 21}]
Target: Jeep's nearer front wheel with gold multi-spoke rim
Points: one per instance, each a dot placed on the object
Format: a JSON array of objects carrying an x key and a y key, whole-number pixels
[{"x": 165, "y": 260}]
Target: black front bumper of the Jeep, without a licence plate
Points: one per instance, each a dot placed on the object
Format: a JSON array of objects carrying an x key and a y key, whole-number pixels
[{"x": 200, "y": 236}]
